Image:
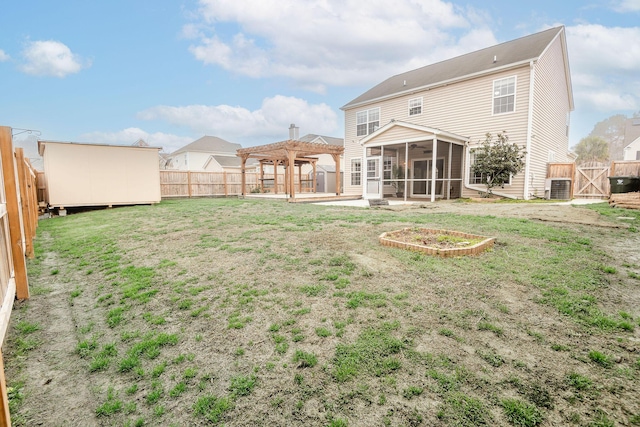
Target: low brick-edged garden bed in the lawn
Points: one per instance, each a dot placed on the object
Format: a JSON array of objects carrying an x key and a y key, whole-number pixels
[{"x": 443, "y": 243}]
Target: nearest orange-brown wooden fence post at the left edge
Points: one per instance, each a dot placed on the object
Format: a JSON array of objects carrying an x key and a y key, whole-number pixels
[{"x": 13, "y": 213}]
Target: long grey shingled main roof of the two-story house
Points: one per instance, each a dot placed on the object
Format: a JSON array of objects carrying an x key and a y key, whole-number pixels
[{"x": 507, "y": 55}]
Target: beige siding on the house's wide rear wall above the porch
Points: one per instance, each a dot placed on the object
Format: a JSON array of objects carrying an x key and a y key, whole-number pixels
[{"x": 464, "y": 108}]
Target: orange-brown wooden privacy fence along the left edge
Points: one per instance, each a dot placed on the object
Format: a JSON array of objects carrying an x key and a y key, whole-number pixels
[{"x": 18, "y": 221}]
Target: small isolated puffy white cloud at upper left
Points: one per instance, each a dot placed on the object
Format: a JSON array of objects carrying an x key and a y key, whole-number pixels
[{"x": 51, "y": 58}]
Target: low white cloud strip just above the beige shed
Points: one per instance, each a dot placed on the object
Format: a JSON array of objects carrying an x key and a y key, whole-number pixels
[{"x": 129, "y": 136}]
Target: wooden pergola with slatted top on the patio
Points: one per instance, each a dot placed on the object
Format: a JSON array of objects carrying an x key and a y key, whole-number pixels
[{"x": 290, "y": 154}]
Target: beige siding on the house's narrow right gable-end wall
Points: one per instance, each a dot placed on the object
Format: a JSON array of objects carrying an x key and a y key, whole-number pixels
[{"x": 551, "y": 106}]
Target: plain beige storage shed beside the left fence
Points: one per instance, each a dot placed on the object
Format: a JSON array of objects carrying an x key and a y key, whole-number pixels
[{"x": 80, "y": 174}]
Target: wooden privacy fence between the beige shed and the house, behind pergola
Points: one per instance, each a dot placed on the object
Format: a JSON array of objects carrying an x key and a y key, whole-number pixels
[{"x": 212, "y": 184}]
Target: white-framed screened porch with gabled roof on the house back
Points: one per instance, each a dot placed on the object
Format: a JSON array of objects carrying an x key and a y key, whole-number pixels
[{"x": 408, "y": 161}]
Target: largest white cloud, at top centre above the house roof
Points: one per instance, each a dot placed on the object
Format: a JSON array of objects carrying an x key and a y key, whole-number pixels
[{"x": 332, "y": 42}]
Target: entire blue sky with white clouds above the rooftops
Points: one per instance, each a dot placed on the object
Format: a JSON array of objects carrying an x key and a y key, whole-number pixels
[{"x": 170, "y": 71}]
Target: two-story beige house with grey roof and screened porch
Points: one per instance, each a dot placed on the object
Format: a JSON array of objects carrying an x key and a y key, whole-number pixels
[{"x": 414, "y": 134}]
